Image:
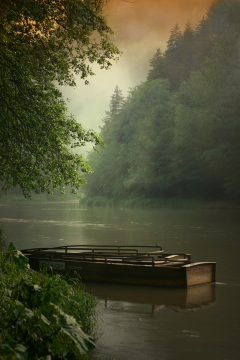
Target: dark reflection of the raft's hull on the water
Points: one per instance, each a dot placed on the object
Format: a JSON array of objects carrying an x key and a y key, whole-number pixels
[{"x": 125, "y": 297}]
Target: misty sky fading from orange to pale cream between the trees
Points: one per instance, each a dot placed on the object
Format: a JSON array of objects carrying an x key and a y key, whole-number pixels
[{"x": 140, "y": 27}]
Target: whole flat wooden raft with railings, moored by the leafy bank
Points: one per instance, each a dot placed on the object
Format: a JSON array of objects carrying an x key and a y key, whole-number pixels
[{"x": 143, "y": 265}]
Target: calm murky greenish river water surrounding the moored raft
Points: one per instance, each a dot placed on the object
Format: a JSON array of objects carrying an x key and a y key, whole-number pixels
[{"x": 149, "y": 323}]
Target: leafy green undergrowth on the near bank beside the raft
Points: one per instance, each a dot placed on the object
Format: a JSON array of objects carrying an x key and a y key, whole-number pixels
[{"x": 42, "y": 314}]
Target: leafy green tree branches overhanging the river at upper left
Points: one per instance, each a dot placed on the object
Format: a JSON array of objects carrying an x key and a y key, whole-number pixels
[{"x": 44, "y": 44}]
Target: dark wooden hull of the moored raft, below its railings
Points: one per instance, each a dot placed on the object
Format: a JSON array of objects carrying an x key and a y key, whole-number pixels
[{"x": 173, "y": 273}]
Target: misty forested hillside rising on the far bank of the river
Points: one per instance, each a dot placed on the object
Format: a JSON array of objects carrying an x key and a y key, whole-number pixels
[{"x": 178, "y": 133}]
